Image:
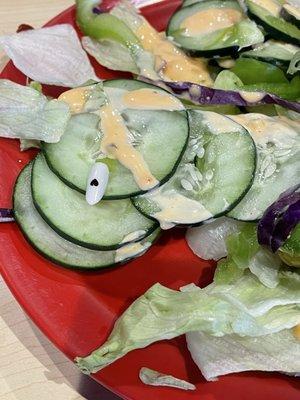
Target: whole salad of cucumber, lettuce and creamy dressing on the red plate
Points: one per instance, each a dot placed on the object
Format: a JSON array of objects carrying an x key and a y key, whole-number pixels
[{"x": 205, "y": 135}]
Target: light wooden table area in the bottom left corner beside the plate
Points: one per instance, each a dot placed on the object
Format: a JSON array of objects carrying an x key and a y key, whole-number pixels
[{"x": 31, "y": 368}]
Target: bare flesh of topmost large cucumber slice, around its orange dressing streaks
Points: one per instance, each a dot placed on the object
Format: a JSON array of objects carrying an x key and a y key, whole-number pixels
[{"x": 160, "y": 136}]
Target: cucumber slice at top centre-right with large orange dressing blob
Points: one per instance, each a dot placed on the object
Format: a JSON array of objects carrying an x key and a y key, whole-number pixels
[{"x": 222, "y": 28}]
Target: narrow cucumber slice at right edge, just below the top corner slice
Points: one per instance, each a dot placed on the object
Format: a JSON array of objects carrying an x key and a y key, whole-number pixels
[{"x": 274, "y": 52}]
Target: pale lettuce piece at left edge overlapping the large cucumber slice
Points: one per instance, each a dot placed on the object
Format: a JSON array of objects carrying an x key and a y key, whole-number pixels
[{"x": 26, "y": 113}]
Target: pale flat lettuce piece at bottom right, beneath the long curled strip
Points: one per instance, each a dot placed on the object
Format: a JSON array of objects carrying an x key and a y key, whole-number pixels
[{"x": 217, "y": 356}]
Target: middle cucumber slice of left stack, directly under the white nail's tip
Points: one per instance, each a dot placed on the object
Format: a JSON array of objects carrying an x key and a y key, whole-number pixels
[{"x": 106, "y": 226}]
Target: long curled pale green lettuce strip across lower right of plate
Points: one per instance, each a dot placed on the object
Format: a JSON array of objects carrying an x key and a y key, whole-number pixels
[{"x": 246, "y": 308}]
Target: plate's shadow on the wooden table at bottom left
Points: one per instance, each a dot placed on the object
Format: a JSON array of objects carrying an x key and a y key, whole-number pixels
[{"x": 58, "y": 368}]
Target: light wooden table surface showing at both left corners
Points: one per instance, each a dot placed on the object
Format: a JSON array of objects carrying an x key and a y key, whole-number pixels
[{"x": 31, "y": 368}]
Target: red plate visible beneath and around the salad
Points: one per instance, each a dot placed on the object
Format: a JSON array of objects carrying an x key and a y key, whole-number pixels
[{"x": 77, "y": 310}]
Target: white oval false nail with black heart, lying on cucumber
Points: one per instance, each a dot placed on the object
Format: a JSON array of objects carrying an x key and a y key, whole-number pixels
[{"x": 97, "y": 182}]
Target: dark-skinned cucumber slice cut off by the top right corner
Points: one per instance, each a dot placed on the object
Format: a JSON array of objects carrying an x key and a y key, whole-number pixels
[{"x": 275, "y": 26}]
